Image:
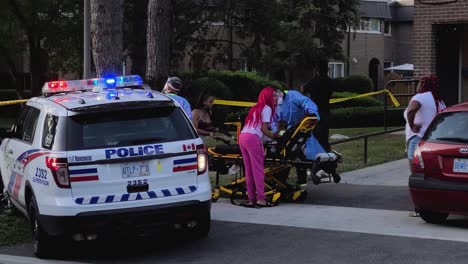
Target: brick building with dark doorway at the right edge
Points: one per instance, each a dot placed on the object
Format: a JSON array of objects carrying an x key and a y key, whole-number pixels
[{"x": 441, "y": 45}]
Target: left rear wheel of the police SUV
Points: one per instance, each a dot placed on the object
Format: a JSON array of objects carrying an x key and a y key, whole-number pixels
[{"x": 42, "y": 246}]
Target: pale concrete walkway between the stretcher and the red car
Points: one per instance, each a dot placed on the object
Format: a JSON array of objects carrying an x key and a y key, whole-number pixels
[{"x": 395, "y": 173}]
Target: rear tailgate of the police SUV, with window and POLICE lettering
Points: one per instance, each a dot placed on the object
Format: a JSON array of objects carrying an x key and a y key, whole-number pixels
[{"x": 131, "y": 154}]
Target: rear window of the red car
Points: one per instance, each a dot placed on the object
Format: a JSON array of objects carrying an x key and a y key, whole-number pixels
[{"x": 449, "y": 127}]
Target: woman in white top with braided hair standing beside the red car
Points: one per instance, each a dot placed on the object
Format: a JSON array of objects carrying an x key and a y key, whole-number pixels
[{"x": 422, "y": 108}]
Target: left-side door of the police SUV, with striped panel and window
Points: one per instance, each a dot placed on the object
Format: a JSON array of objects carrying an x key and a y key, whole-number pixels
[{"x": 19, "y": 152}]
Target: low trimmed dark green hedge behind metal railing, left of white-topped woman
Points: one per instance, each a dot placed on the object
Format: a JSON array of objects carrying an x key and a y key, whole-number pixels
[{"x": 365, "y": 117}]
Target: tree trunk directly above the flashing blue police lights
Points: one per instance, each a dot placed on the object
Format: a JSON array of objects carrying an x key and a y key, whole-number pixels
[{"x": 106, "y": 36}]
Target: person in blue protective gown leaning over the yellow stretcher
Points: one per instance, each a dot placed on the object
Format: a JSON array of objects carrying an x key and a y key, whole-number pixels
[{"x": 293, "y": 107}]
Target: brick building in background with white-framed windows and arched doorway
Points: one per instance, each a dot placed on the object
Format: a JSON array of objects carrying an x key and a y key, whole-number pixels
[{"x": 383, "y": 38}]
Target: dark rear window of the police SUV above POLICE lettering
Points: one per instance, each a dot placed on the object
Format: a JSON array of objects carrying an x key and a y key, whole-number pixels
[{"x": 127, "y": 127}]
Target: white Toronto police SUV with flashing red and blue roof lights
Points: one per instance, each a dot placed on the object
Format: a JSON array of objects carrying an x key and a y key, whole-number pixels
[{"x": 104, "y": 155}]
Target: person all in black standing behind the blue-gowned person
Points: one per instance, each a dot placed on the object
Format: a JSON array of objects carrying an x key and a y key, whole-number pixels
[{"x": 320, "y": 90}]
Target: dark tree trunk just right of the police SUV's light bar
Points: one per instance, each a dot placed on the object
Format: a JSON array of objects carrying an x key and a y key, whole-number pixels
[{"x": 158, "y": 41}]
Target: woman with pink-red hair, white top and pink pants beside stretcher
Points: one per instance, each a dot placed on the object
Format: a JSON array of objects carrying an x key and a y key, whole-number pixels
[{"x": 250, "y": 142}]
